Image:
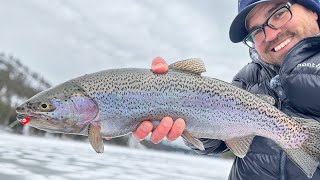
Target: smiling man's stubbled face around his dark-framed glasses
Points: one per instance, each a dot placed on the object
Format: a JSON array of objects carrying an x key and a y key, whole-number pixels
[{"x": 278, "y": 42}]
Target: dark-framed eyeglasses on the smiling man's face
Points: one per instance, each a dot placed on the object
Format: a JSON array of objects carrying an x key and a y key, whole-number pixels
[{"x": 275, "y": 21}]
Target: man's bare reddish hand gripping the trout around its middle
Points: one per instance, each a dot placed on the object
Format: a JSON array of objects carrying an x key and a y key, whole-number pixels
[{"x": 167, "y": 127}]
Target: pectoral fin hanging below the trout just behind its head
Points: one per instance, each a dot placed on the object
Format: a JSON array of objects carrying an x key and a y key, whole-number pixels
[{"x": 95, "y": 138}]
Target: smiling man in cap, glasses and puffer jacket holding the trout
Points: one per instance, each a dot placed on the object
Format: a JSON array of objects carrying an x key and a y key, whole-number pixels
[{"x": 284, "y": 43}]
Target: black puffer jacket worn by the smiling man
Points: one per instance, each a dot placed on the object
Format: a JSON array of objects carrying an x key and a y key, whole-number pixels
[{"x": 298, "y": 95}]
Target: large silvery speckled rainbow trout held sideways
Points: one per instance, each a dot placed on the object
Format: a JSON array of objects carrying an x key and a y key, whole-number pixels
[{"x": 113, "y": 103}]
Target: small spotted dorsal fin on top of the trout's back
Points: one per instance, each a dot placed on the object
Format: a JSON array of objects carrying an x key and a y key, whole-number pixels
[{"x": 193, "y": 65}]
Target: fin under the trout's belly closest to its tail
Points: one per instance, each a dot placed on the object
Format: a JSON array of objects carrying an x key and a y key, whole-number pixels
[{"x": 240, "y": 146}]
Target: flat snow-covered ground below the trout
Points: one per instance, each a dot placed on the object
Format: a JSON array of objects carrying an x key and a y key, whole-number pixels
[{"x": 32, "y": 158}]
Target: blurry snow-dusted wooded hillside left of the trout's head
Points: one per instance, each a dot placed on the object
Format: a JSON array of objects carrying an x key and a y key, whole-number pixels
[{"x": 17, "y": 83}]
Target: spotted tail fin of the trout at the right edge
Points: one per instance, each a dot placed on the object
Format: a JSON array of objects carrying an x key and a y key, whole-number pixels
[{"x": 307, "y": 156}]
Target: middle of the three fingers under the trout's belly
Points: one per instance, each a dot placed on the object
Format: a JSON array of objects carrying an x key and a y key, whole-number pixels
[{"x": 162, "y": 130}]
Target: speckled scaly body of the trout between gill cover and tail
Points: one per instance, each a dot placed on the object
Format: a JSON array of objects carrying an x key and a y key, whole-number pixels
[{"x": 139, "y": 94}]
